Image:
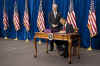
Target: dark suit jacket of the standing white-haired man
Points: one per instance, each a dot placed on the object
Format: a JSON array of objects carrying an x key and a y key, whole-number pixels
[{"x": 56, "y": 21}]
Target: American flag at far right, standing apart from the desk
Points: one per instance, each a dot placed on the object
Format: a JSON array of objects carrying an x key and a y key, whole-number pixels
[{"x": 92, "y": 21}]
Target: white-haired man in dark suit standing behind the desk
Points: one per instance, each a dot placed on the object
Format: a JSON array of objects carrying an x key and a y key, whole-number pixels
[{"x": 55, "y": 25}]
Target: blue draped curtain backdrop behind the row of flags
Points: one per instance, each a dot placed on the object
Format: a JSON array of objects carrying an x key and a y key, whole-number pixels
[{"x": 81, "y": 8}]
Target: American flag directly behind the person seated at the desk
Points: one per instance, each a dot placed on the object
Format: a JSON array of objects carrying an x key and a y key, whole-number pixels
[{"x": 71, "y": 18}]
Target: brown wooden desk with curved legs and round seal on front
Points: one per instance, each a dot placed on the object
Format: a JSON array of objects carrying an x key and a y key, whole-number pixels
[{"x": 58, "y": 36}]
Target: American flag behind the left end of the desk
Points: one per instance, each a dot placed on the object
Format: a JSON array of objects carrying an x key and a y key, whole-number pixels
[{"x": 40, "y": 20}]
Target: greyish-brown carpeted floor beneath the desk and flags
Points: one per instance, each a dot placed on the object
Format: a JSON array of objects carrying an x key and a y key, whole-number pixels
[{"x": 20, "y": 53}]
